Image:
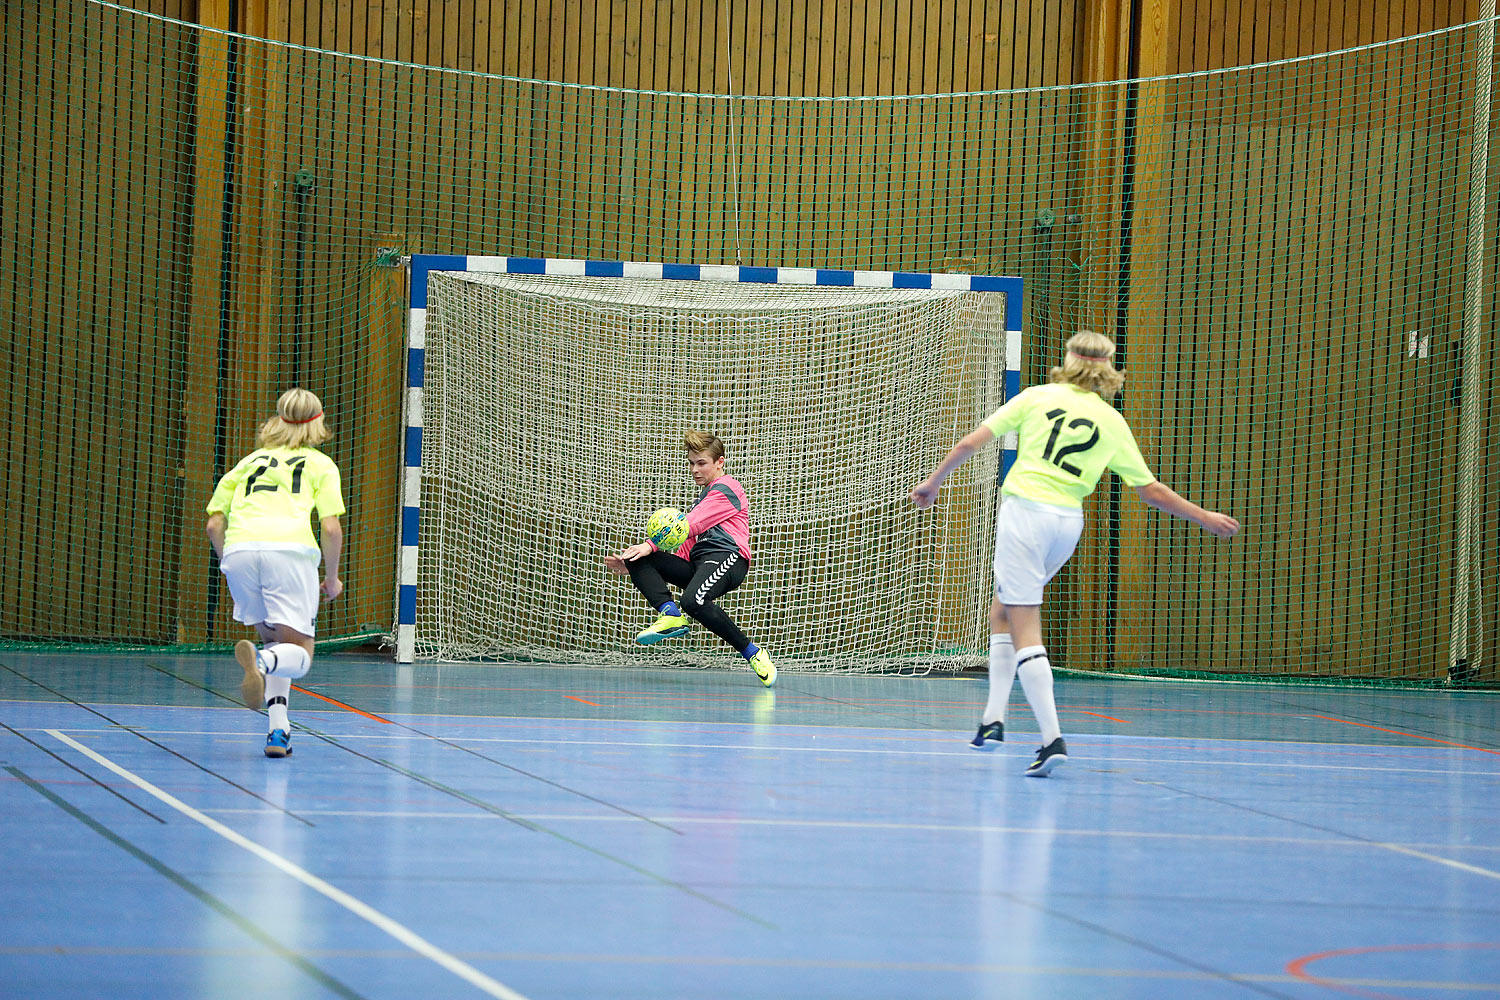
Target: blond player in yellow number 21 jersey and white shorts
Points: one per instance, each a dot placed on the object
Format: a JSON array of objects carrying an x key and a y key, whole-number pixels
[{"x": 259, "y": 524}]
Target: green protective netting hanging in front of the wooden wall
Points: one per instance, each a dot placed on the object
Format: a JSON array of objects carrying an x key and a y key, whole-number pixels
[{"x": 1297, "y": 259}]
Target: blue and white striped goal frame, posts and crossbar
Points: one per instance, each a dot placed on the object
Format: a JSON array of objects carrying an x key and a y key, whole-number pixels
[{"x": 424, "y": 265}]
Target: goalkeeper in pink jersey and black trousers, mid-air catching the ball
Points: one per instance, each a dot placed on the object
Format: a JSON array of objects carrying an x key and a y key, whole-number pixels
[{"x": 713, "y": 561}]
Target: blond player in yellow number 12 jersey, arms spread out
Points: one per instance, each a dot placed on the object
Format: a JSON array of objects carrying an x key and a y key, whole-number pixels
[{"x": 1067, "y": 437}]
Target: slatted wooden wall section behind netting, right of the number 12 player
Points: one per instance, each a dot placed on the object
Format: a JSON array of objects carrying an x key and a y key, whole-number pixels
[{"x": 1352, "y": 516}]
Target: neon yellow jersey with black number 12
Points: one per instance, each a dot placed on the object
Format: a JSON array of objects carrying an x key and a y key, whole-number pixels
[{"x": 1069, "y": 437}]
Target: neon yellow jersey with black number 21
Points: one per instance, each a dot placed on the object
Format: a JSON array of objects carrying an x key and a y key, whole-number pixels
[{"x": 269, "y": 496}]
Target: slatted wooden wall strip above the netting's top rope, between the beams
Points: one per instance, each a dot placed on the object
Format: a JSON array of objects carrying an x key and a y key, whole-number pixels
[{"x": 775, "y": 47}]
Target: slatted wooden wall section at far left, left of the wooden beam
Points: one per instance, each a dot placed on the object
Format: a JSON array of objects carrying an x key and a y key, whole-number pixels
[{"x": 92, "y": 485}]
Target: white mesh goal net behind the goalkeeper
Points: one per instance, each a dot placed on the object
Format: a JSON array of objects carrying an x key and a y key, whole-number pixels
[{"x": 551, "y": 421}]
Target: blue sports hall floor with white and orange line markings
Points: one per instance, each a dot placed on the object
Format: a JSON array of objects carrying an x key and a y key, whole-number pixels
[{"x": 547, "y": 833}]
